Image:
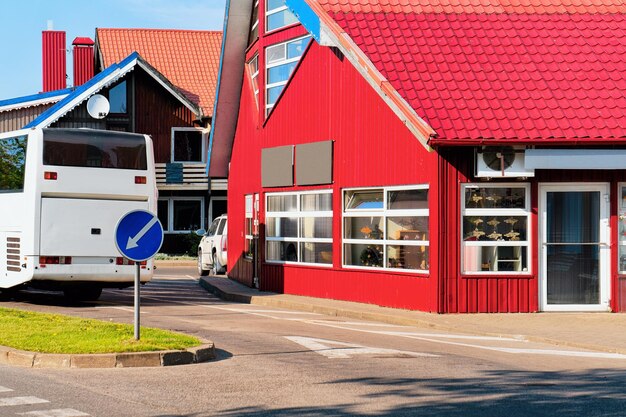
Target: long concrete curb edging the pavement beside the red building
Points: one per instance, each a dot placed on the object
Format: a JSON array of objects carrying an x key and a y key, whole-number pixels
[{"x": 277, "y": 300}]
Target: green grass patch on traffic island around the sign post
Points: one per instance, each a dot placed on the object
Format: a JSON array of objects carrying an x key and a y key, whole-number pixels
[{"x": 54, "y": 333}]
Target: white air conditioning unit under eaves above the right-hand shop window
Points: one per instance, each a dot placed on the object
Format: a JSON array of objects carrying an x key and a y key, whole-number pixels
[{"x": 501, "y": 162}]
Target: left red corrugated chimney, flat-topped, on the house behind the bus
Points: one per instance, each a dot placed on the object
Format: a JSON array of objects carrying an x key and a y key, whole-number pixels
[{"x": 54, "y": 65}]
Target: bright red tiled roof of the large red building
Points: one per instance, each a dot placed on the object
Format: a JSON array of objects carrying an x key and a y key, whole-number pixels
[{"x": 499, "y": 69}]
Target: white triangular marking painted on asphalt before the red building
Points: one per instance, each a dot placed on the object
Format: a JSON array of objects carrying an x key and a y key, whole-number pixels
[{"x": 347, "y": 350}]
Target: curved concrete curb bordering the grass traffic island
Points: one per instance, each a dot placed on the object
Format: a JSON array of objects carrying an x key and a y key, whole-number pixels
[{"x": 198, "y": 354}]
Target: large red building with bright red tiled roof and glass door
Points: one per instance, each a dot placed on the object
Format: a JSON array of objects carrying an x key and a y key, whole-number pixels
[{"x": 444, "y": 156}]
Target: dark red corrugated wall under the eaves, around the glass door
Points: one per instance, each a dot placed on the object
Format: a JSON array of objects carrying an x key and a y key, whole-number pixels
[{"x": 483, "y": 294}]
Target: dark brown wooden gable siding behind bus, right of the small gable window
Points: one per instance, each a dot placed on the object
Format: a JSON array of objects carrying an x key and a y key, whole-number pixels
[{"x": 156, "y": 112}]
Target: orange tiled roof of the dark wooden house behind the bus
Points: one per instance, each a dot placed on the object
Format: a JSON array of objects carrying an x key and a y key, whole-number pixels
[{"x": 188, "y": 58}]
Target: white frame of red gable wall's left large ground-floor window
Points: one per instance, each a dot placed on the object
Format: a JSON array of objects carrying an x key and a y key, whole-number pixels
[{"x": 299, "y": 215}]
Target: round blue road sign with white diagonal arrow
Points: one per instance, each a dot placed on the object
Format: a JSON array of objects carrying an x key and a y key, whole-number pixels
[{"x": 139, "y": 235}]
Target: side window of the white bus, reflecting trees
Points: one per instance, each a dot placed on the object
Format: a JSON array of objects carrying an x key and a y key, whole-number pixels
[{"x": 12, "y": 164}]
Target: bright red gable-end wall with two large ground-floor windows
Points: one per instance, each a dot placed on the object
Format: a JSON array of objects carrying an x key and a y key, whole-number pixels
[{"x": 328, "y": 99}]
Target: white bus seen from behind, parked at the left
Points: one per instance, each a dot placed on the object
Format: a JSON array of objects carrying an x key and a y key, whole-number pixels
[{"x": 62, "y": 192}]
